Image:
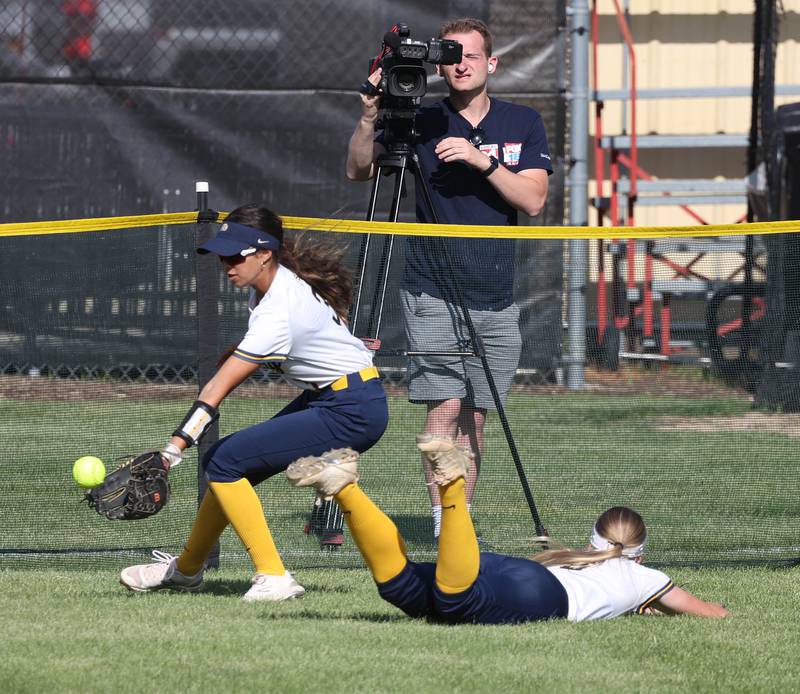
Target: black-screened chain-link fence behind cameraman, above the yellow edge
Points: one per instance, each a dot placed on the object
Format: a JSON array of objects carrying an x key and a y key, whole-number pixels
[{"x": 257, "y": 98}]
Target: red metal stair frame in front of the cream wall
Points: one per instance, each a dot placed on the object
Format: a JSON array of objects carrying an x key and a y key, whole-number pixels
[{"x": 635, "y": 316}]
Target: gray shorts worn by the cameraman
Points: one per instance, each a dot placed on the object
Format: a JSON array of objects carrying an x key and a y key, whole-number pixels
[{"x": 435, "y": 325}]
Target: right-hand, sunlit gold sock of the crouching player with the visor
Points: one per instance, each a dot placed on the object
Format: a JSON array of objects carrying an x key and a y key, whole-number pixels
[{"x": 241, "y": 505}]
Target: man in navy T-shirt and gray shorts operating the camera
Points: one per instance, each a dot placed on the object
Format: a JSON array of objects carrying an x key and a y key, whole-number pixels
[{"x": 482, "y": 160}]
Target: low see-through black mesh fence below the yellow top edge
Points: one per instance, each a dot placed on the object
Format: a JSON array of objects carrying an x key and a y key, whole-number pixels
[{"x": 715, "y": 479}]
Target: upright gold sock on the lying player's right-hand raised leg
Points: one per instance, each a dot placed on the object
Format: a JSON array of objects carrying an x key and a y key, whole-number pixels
[{"x": 459, "y": 555}]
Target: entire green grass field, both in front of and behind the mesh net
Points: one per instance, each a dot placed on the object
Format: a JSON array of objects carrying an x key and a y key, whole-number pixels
[{"x": 709, "y": 497}]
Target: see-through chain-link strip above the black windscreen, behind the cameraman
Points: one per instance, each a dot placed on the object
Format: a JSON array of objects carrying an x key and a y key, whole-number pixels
[{"x": 247, "y": 44}]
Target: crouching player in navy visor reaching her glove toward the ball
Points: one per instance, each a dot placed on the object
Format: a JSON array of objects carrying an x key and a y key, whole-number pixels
[{"x": 299, "y": 298}]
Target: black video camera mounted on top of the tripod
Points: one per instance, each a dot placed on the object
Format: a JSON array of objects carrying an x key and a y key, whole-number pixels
[{"x": 404, "y": 81}]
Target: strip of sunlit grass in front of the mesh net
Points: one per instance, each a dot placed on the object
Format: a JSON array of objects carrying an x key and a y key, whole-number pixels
[{"x": 79, "y": 631}]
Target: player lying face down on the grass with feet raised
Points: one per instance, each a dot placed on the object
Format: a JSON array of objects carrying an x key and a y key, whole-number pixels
[{"x": 466, "y": 586}]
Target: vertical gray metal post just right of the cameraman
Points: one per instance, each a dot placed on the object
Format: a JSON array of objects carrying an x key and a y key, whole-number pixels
[{"x": 578, "y": 192}]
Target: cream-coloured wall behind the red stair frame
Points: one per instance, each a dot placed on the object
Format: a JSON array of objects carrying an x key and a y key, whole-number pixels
[{"x": 691, "y": 43}]
